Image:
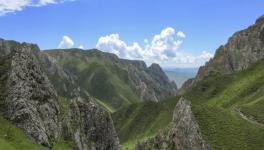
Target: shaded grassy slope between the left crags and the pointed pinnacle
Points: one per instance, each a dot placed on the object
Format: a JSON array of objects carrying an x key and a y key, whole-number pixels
[{"x": 141, "y": 120}]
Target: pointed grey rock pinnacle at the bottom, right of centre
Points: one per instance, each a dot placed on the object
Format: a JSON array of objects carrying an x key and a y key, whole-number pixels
[{"x": 181, "y": 134}]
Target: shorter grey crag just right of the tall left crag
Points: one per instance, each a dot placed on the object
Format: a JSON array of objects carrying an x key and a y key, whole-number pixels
[{"x": 90, "y": 127}]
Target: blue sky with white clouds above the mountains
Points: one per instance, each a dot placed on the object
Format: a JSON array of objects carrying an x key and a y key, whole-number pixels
[{"x": 173, "y": 33}]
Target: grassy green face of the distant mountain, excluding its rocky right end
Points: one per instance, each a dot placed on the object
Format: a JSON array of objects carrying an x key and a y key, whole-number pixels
[{"x": 98, "y": 76}]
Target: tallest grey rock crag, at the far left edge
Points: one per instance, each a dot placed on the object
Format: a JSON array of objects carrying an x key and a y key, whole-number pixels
[{"x": 30, "y": 100}]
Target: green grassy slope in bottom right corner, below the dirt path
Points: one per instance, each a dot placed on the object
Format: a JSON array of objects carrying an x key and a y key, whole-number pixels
[{"x": 223, "y": 129}]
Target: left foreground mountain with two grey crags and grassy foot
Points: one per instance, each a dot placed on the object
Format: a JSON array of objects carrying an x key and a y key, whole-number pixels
[{"x": 30, "y": 102}]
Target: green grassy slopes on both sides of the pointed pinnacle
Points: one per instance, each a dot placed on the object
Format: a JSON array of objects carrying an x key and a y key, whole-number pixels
[{"x": 228, "y": 108}]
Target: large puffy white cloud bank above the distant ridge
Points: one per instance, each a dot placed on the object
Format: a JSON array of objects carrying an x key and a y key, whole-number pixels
[{"x": 163, "y": 48}]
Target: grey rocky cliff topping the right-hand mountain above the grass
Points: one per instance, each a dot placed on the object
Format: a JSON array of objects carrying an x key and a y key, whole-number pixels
[{"x": 243, "y": 49}]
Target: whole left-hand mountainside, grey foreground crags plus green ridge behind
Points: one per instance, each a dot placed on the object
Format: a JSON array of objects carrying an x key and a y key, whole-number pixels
[{"x": 59, "y": 98}]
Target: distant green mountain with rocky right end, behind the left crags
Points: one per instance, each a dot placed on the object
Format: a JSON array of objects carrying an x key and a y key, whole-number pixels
[{"x": 113, "y": 82}]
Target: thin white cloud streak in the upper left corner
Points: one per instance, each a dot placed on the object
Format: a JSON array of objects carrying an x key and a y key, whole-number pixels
[{"x": 9, "y": 6}]
